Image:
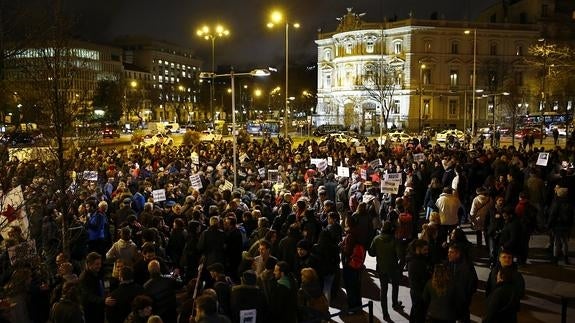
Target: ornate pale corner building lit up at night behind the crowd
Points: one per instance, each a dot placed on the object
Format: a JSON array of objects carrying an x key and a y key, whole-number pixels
[{"x": 419, "y": 73}]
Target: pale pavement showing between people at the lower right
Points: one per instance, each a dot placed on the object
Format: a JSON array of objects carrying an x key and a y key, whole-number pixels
[{"x": 539, "y": 304}]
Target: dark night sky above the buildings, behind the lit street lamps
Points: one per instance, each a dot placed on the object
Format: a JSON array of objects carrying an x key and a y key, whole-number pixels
[{"x": 251, "y": 43}]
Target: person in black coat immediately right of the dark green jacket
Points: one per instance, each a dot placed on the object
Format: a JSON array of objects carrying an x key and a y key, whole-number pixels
[{"x": 418, "y": 268}]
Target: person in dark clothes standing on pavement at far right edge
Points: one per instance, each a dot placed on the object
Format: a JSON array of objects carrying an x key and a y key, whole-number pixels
[{"x": 560, "y": 221}]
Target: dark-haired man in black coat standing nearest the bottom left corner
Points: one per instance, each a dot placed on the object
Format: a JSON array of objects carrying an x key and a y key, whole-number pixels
[{"x": 92, "y": 289}]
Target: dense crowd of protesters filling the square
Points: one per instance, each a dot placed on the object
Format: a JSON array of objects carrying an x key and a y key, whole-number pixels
[{"x": 288, "y": 239}]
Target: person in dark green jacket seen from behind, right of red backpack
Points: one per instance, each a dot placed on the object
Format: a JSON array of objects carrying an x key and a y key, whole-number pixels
[{"x": 385, "y": 248}]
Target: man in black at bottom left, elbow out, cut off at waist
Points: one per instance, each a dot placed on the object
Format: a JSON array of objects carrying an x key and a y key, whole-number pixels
[{"x": 118, "y": 304}]
